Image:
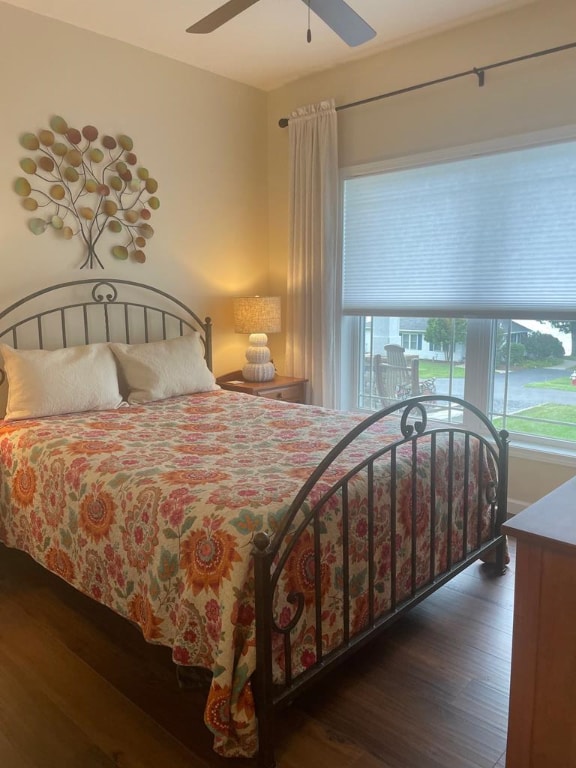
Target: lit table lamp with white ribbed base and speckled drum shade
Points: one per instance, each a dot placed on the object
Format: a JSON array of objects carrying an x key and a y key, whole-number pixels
[{"x": 258, "y": 316}]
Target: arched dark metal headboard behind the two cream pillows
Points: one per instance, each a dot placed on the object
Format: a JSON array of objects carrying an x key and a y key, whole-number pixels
[{"x": 94, "y": 311}]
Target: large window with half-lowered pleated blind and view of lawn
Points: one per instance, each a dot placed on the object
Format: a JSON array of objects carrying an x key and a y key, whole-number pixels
[{"x": 468, "y": 262}]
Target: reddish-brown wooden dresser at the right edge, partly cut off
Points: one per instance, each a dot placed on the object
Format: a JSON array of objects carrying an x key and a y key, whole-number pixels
[{"x": 542, "y": 719}]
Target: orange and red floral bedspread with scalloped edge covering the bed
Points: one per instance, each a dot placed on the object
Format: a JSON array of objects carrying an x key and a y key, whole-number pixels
[{"x": 151, "y": 510}]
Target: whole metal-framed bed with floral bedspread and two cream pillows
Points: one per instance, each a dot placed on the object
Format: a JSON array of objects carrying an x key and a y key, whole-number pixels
[{"x": 262, "y": 541}]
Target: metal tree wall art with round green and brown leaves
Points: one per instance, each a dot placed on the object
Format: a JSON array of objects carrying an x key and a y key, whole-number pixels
[{"x": 80, "y": 189}]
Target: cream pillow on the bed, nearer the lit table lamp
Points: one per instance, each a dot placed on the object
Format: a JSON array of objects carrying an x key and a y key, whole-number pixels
[{"x": 161, "y": 369}]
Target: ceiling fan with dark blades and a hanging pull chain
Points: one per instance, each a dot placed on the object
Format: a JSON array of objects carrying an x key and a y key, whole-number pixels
[{"x": 337, "y": 14}]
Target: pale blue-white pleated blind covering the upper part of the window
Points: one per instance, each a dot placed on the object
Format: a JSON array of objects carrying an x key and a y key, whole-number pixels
[{"x": 487, "y": 236}]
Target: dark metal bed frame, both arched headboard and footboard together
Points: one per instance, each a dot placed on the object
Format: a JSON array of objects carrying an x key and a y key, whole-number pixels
[{"x": 122, "y": 310}]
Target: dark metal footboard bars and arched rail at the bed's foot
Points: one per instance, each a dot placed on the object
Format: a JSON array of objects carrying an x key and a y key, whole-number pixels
[{"x": 271, "y": 553}]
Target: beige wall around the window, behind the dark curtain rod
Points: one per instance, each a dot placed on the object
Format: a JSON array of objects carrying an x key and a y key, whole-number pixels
[{"x": 516, "y": 99}]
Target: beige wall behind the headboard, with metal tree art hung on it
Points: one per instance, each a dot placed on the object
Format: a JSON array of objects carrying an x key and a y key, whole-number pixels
[{"x": 203, "y": 137}]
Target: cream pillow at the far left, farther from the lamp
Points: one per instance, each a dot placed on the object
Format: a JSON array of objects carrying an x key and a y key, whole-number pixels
[{"x": 47, "y": 383}]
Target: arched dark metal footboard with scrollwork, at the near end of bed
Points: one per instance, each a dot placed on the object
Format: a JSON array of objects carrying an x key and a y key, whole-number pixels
[{"x": 464, "y": 457}]
